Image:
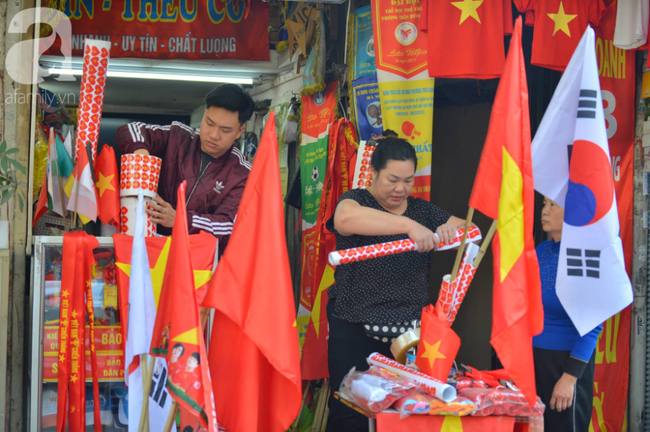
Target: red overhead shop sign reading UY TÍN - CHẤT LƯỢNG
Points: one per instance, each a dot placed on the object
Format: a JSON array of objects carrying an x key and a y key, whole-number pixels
[{"x": 171, "y": 29}]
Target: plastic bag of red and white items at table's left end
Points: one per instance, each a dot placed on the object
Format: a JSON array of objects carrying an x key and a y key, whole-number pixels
[{"x": 375, "y": 389}]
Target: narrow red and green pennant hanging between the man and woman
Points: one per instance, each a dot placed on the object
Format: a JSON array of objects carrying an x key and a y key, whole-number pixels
[{"x": 318, "y": 113}]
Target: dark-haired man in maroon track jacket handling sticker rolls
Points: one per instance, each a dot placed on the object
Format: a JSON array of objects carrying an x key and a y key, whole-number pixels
[{"x": 215, "y": 170}]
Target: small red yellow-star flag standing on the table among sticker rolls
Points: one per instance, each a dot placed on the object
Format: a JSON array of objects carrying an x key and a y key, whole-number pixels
[{"x": 438, "y": 345}]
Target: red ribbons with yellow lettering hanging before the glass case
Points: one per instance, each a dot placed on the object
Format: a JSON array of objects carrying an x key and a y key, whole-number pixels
[{"x": 76, "y": 302}]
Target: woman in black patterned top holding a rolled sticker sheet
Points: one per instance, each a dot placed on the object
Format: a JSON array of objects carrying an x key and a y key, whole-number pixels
[{"x": 384, "y": 293}]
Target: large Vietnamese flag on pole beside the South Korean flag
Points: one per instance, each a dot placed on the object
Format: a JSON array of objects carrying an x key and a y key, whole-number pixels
[{"x": 503, "y": 190}]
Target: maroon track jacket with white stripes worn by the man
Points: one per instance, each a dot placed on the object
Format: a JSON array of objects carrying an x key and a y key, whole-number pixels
[{"x": 213, "y": 199}]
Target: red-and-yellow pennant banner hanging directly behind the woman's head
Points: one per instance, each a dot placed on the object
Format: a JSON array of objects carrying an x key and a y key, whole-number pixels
[{"x": 405, "y": 89}]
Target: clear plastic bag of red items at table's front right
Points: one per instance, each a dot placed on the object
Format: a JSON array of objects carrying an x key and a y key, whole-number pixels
[{"x": 501, "y": 401}]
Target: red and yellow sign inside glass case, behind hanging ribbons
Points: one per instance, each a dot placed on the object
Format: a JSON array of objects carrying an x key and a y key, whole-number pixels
[{"x": 108, "y": 345}]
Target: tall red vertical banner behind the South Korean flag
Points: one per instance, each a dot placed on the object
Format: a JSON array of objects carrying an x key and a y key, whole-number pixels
[{"x": 617, "y": 81}]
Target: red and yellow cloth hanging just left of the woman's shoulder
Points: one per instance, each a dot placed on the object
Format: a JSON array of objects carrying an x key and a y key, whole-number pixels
[{"x": 338, "y": 180}]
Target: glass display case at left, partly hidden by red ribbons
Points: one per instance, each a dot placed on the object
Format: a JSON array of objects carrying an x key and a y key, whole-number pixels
[{"x": 46, "y": 297}]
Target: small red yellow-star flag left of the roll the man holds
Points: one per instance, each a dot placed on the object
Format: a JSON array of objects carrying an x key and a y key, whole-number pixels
[{"x": 108, "y": 190}]
